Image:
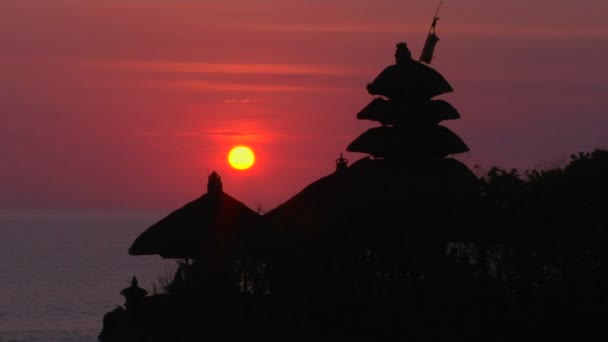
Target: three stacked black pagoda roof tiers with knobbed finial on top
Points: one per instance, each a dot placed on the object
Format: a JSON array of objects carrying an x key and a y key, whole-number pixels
[{"x": 408, "y": 113}]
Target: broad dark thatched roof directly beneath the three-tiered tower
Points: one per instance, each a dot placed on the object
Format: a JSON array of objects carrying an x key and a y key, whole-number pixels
[{"x": 378, "y": 199}]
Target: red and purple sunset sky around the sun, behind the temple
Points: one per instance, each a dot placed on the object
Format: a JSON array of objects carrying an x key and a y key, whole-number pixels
[{"x": 131, "y": 104}]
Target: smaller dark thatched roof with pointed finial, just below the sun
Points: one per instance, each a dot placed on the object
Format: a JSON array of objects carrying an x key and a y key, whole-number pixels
[{"x": 208, "y": 226}]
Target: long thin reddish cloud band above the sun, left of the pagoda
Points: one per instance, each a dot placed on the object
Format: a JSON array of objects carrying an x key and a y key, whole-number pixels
[{"x": 228, "y": 77}]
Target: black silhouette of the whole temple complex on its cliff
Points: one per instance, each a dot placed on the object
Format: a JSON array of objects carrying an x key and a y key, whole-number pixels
[{"x": 406, "y": 243}]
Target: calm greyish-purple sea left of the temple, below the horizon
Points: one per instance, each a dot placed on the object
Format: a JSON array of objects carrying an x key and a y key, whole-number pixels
[{"x": 60, "y": 272}]
